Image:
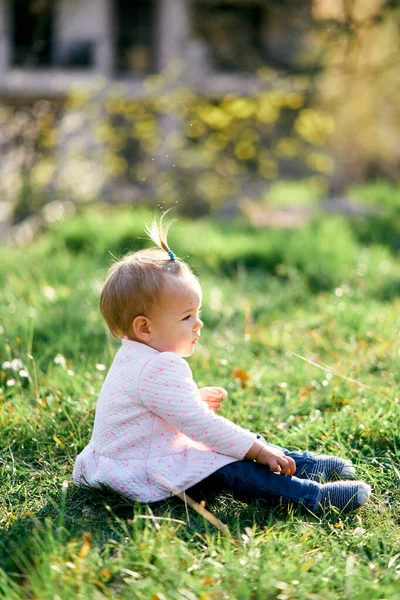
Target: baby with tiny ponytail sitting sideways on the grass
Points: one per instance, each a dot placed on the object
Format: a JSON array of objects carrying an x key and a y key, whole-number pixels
[{"x": 157, "y": 434}]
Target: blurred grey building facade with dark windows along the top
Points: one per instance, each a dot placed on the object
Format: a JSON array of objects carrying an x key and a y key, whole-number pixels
[{"x": 48, "y": 46}]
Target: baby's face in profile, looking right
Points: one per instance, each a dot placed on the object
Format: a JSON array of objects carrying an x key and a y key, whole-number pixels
[{"x": 175, "y": 325}]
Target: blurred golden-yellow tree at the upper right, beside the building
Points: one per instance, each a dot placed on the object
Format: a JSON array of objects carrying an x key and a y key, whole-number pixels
[{"x": 359, "y": 84}]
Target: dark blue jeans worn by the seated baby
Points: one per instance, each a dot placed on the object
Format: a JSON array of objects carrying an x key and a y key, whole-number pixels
[{"x": 249, "y": 481}]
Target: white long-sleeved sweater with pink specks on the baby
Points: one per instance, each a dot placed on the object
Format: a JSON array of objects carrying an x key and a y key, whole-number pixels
[{"x": 153, "y": 435}]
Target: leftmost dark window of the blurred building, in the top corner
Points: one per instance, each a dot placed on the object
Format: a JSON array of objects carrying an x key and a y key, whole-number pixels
[{"x": 32, "y": 32}]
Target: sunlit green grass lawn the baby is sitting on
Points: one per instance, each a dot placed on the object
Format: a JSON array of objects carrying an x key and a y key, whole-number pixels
[{"x": 320, "y": 293}]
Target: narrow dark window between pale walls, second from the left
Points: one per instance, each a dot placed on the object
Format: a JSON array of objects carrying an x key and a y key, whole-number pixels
[{"x": 135, "y": 36}]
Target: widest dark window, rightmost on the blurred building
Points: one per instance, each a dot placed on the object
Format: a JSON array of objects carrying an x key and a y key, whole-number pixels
[{"x": 240, "y": 36}]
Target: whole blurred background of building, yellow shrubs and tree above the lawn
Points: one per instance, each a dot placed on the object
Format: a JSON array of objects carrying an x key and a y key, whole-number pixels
[{"x": 269, "y": 110}]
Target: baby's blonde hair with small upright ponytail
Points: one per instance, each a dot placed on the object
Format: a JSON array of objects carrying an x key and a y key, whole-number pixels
[{"x": 135, "y": 284}]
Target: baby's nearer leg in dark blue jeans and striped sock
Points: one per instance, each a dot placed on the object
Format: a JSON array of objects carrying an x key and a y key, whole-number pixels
[{"x": 249, "y": 481}]
